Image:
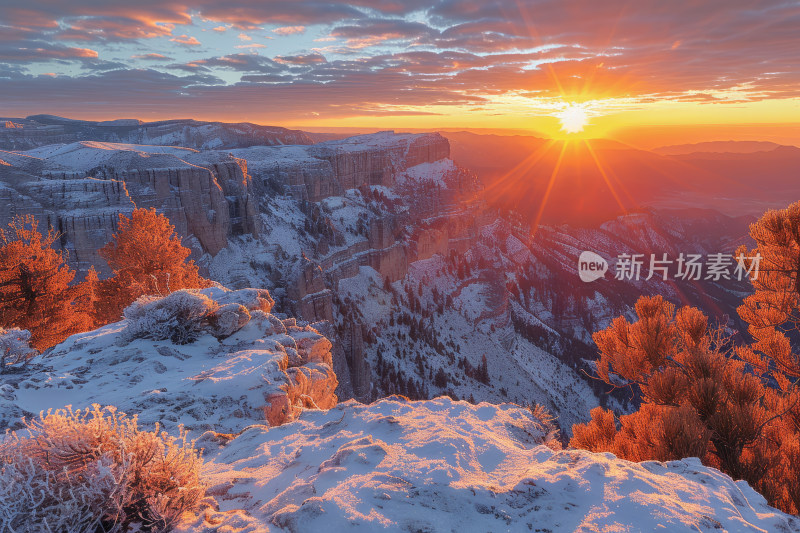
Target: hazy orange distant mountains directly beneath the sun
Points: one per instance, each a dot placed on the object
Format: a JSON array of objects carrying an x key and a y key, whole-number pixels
[{"x": 598, "y": 179}]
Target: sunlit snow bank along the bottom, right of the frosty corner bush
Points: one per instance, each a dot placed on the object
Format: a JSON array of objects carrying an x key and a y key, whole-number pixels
[{"x": 442, "y": 466}]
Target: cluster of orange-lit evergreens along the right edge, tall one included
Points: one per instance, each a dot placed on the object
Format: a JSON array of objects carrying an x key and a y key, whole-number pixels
[{"x": 736, "y": 409}]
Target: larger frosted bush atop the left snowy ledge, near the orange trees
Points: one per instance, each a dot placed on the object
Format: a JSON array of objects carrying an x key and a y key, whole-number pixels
[{"x": 179, "y": 317}]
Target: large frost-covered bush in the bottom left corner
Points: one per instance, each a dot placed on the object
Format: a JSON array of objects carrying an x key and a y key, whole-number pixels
[{"x": 94, "y": 470}]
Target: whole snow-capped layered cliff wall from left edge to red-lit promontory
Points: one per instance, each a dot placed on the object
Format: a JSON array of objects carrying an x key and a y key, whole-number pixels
[{"x": 214, "y": 196}]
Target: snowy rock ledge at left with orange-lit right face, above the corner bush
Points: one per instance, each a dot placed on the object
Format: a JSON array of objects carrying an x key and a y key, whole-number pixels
[{"x": 211, "y": 359}]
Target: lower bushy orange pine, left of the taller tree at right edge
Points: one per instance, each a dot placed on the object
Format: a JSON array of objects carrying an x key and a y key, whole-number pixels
[{"x": 698, "y": 399}]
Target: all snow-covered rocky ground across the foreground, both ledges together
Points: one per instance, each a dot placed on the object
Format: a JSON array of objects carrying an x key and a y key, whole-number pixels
[{"x": 394, "y": 465}]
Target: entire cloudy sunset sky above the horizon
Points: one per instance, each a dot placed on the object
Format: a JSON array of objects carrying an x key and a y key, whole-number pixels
[{"x": 624, "y": 66}]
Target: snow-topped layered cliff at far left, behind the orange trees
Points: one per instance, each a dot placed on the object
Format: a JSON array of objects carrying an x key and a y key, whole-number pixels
[{"x": 80, "y": 189}]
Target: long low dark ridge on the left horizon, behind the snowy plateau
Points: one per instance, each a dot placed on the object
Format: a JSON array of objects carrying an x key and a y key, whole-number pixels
[{"x": 40, "y": 130}]
